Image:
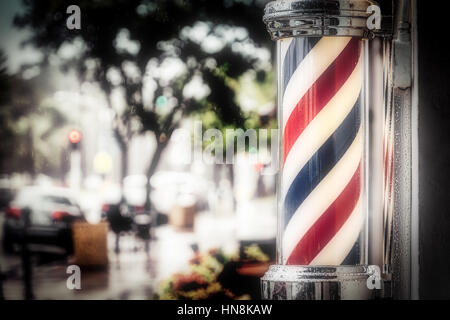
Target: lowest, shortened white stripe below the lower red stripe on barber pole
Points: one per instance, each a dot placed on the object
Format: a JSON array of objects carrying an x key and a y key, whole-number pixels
[{"x": 339, "y": 247}]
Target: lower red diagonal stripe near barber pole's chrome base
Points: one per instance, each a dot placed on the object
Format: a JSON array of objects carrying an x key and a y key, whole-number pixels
[{"x": 328, "y": 225}]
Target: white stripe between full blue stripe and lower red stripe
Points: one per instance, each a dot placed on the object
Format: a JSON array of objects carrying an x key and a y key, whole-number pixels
[{"x": 322, "y": 197}]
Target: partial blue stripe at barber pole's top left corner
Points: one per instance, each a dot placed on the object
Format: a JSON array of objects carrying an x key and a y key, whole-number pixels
[{"x": 298, "y": 50}]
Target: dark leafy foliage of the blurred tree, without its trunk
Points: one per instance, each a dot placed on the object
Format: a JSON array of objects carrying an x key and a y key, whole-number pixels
[{"x": 150, "y": 23}]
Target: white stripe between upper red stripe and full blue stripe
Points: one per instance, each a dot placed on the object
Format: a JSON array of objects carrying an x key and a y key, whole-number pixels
[{"x": 321, "y": 127}]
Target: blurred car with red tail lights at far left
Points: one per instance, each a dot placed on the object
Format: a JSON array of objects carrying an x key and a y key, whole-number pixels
[{"x": 51, "y": 212}]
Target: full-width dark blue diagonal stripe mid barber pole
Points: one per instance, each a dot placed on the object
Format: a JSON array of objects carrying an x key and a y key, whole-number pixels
[{"x": 322, "y": 162}]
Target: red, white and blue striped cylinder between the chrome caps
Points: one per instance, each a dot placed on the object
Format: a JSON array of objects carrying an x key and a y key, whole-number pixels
[{"x": 322, "y": 142}]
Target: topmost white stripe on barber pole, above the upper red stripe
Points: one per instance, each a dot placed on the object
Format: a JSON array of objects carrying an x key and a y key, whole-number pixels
[{"x": 313, "y": 65}]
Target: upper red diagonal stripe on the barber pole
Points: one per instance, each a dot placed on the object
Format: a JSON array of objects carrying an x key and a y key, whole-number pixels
[{"x": 320, "y": 93}]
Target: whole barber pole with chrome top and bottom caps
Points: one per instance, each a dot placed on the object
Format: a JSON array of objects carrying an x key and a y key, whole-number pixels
[{"x": 322, "y": 72}]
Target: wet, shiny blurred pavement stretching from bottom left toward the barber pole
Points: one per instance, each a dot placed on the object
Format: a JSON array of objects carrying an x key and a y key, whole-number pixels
[{"x": 135, "y": 273}]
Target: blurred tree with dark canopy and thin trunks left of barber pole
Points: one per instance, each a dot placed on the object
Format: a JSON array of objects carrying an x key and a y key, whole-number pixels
[{"x": 215, "y": 40}]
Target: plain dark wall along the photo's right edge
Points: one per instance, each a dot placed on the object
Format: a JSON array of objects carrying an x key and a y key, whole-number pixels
[{"x": 434, "y": 150}]
